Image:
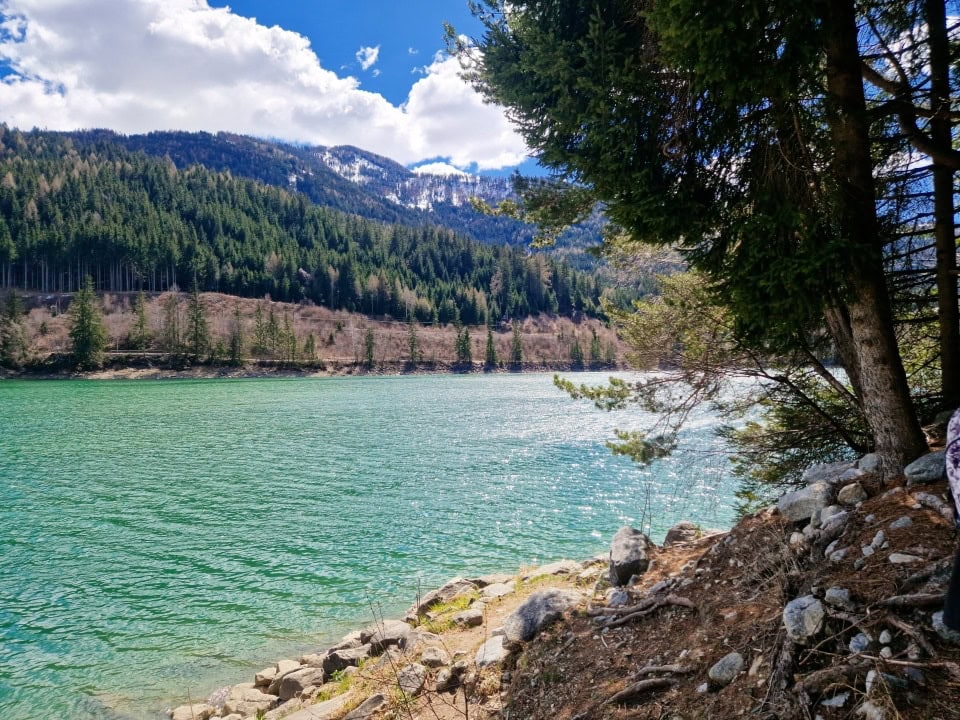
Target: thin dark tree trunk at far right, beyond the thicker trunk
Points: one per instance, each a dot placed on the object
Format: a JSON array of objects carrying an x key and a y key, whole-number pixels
[{"x": 935, "y": 14}]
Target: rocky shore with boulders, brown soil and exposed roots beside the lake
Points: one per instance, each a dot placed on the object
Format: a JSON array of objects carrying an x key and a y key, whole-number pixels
[{"x": 821, "y": 606}]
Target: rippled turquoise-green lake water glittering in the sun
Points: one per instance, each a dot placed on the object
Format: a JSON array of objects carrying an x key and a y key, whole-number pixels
[{"x": 160, "y": 538}]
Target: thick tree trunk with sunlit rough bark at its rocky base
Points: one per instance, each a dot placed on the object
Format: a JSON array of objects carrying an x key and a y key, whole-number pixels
[{"x": 886, "y": 395}]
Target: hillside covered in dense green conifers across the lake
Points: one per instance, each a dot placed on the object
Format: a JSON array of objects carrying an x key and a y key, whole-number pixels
[{"x": 133, "y": 221}]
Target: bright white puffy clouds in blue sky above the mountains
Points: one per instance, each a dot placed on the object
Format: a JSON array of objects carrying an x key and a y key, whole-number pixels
[{"x": 180, "y": 64}]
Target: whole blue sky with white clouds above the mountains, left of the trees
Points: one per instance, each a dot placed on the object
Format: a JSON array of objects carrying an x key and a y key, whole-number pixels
[{"x": 369, "y": 73}]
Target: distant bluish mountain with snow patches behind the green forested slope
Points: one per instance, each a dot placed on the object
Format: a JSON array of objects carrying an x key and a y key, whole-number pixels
[{"x": 358, "y": 182}]
